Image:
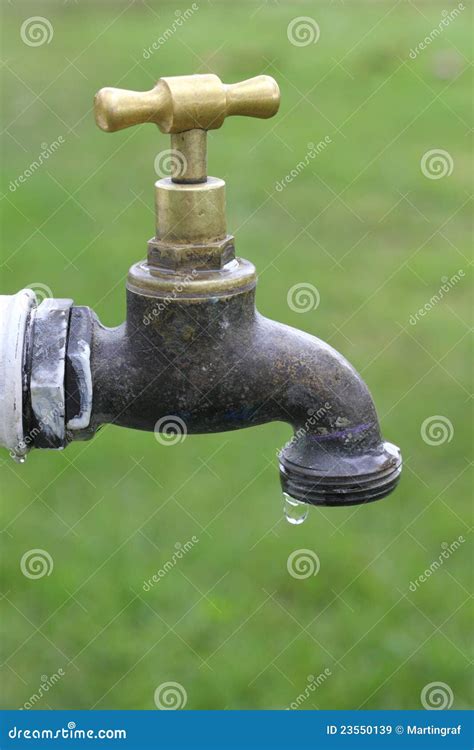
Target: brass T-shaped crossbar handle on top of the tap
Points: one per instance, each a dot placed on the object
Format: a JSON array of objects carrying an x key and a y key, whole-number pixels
[{"x": 180, "y": 103}]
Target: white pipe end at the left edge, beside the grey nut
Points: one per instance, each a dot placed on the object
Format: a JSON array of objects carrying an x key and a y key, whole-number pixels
[{"x": 15, "y": 313}]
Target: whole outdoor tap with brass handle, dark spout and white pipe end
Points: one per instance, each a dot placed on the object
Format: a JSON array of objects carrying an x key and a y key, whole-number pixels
[{"x": 193, "y": 355}]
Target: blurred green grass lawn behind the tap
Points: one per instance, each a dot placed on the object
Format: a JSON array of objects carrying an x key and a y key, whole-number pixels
[{"x": 375, "y": 236}]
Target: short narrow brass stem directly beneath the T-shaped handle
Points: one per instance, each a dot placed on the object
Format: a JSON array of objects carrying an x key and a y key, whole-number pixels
[{"x": 189, "y": 156}]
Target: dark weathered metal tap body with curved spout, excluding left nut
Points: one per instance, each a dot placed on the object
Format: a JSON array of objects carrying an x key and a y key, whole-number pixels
[{"x": 215, "y": 364}]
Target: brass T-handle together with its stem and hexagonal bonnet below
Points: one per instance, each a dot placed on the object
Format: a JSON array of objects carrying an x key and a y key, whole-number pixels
[{"x": 191, "y": 229}]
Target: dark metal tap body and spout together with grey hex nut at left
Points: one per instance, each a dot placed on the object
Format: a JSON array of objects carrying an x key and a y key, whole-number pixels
[{"x": 200, "y": 364}]
